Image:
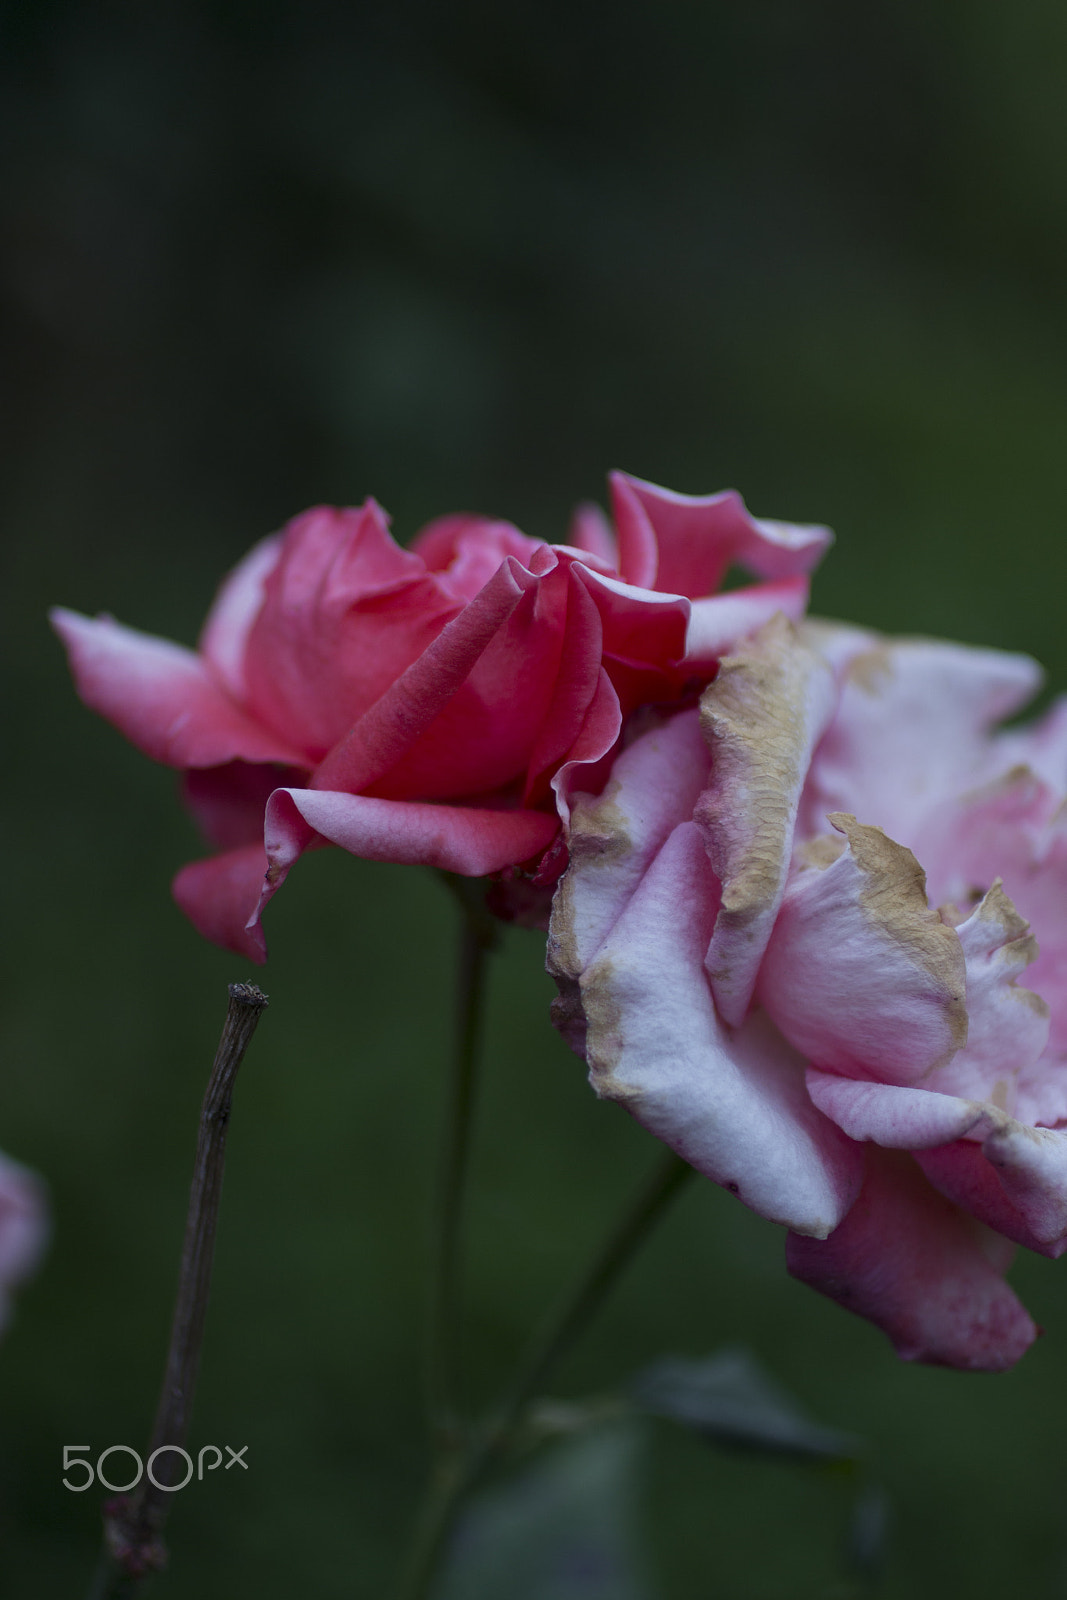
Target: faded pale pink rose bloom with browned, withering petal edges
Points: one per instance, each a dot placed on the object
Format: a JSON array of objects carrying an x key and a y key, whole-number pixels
[{"x": 793, "y": 943}]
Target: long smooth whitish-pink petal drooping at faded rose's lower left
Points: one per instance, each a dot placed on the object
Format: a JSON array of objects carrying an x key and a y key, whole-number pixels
[{"x": 733, "y": 1105}]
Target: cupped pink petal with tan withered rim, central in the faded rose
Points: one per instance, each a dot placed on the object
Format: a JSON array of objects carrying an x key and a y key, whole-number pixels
[{"x": 860, "y": 975}]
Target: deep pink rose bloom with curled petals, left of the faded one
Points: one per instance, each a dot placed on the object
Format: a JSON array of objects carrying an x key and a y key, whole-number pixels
[{"x": 428, "y": 705}]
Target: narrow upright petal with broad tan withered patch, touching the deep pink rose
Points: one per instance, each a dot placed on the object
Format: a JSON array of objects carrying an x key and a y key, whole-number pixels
[{"x": 762, "y": 719}]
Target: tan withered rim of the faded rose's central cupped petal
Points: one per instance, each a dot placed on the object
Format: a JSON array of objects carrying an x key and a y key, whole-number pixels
[{"x": 895, "y": 902}]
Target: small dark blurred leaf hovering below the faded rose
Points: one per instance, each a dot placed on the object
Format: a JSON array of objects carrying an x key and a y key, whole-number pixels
[{"x": 730, "y": 1399}]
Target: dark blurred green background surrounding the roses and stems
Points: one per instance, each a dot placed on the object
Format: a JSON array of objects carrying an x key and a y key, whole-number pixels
[{"x": 262, "y": 255}]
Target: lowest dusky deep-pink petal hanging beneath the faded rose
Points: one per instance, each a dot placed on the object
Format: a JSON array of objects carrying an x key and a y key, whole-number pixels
[{"x": 916, "y": 1266}]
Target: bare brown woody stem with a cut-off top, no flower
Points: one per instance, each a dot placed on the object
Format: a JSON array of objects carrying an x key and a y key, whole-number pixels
[{"x": 134, "y": 1524}]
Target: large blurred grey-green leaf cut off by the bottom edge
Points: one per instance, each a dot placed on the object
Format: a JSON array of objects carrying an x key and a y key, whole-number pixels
[{"x": 561, "y": 1530}]
